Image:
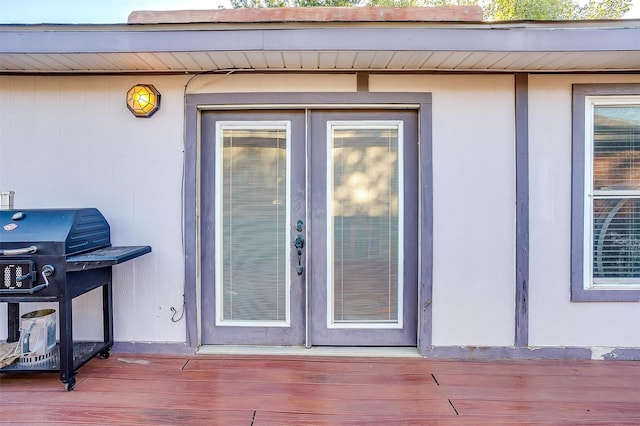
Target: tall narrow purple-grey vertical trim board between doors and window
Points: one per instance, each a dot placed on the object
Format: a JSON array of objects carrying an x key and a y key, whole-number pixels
[{"x": 521, "y": 337}]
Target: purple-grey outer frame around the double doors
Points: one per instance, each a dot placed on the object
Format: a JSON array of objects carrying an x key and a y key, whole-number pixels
[{"x": 193, "y": 222}]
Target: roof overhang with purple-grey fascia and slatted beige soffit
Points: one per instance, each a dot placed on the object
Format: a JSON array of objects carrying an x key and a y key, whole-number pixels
[{"x": 534, "y": 47}]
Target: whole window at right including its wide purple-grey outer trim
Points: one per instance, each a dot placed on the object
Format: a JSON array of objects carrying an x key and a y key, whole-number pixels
[{"x": 608, "y": 145}]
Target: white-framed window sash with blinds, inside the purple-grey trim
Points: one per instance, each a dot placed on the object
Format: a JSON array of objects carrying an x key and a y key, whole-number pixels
[{"x": 613, "y": 135}]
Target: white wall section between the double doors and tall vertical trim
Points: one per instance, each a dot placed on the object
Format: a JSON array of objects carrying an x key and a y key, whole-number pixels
[{"x": 473, "y": 206}]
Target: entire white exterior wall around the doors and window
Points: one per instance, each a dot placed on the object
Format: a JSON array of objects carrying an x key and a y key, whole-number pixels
[{"x": 71, "y": 142}]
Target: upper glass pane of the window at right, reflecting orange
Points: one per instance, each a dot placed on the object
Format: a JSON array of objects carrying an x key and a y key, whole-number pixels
[{"x": 616, "y": 146}]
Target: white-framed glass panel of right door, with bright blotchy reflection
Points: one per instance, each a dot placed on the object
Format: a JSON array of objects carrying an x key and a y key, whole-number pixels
[{"x": 364, "y": 227}]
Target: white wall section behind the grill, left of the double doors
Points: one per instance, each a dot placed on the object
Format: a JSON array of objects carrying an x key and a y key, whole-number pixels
[{"x": 72, "y": 142}]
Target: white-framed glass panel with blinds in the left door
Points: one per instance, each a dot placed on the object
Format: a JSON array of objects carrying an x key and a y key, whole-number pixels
[{"x": 252, "y": 228}]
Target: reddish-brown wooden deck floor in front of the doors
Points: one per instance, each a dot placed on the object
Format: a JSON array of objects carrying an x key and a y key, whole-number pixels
[{"x": 289, "y": 390}]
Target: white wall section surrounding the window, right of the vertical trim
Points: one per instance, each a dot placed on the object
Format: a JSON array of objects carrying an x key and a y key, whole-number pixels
[{"x": 554, "y": 320}]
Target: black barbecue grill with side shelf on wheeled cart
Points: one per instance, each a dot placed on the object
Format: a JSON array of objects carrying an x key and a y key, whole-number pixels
[{"x": 55, "y": 255}]
